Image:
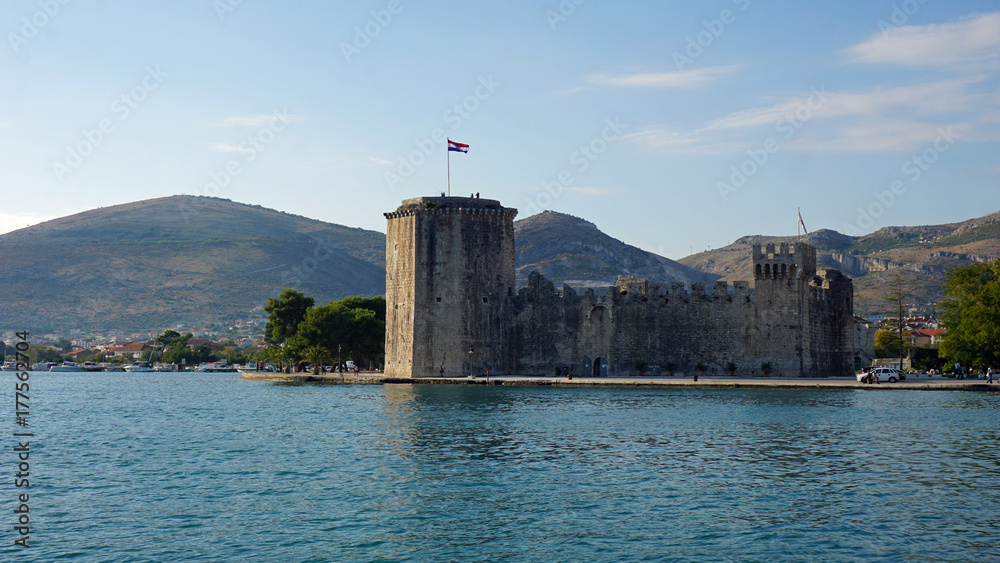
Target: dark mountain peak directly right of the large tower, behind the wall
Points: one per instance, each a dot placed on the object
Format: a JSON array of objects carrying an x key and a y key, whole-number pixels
[{"x": 567, "y": 249}]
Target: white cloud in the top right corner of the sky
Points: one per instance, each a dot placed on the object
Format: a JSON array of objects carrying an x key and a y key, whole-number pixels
[{"x": 975, "y": 39}]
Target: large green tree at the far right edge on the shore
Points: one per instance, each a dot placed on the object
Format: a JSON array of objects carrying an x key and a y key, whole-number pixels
[{"x": 971, "y": 315}]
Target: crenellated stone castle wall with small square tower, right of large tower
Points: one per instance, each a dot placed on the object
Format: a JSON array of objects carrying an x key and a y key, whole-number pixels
[{"x": 799, "y": 322}]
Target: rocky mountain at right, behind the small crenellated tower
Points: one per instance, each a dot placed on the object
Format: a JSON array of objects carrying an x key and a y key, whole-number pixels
[{"x": 921, "y": 256}]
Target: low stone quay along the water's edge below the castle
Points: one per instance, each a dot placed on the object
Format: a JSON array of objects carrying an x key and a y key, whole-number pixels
[{"x": 722, "y": 382}]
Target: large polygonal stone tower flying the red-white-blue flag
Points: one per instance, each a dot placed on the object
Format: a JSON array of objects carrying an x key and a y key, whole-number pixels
[{"x": 449, "y": 270}]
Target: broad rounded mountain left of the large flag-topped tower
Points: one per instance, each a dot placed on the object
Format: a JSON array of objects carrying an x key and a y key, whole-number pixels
[{"x": 177, "y": 260}]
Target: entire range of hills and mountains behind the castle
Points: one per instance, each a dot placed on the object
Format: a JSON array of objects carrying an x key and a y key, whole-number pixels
[{"x": 194, "y": 260}]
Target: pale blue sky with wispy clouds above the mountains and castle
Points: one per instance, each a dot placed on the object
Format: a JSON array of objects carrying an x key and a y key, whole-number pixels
[{"x": 673, "y": 126}]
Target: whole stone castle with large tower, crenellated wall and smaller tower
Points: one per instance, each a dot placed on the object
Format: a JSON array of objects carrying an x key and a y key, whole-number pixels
[{"x": 453, "y": 309}]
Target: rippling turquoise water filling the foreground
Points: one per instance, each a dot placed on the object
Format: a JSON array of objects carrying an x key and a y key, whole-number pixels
[{"x": 206, "y": 467}]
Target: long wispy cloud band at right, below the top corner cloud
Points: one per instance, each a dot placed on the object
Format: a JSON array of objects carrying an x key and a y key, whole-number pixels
[{"x": 901, "y": 118}]
